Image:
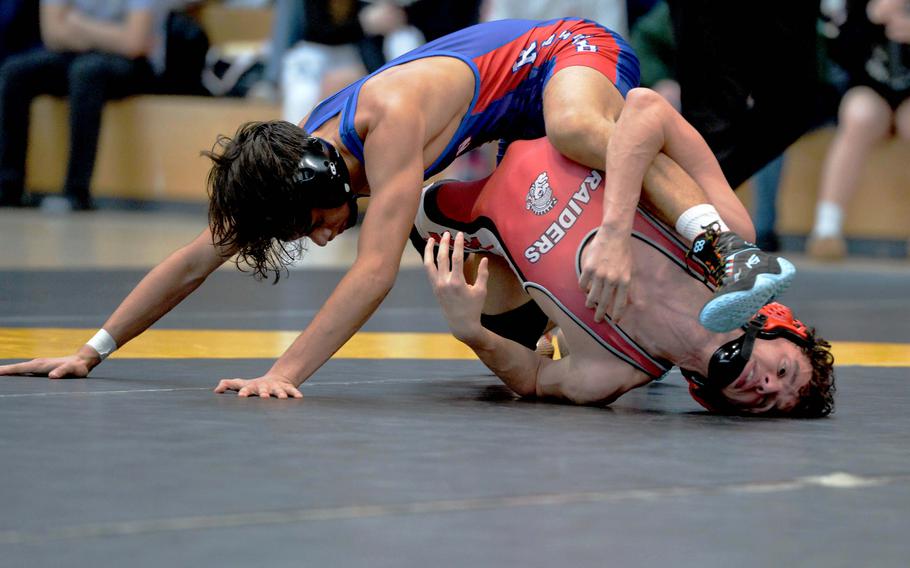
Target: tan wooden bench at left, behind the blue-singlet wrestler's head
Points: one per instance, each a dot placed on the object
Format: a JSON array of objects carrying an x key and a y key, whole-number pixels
[{"x": 149, "y": 147}]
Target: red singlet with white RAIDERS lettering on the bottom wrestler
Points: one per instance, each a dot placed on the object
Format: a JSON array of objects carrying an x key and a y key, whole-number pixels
[{"x": 538, "y": 210}]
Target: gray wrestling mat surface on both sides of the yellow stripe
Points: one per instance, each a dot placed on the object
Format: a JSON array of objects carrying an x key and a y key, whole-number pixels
[{"x": 420, "y": 463}]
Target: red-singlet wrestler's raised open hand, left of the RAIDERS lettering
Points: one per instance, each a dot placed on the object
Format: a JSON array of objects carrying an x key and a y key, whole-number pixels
[{"x": 461, "y": 302}]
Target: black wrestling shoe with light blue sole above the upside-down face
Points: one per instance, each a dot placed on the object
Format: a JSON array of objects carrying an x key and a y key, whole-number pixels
[{"x": 747, "y": 278}]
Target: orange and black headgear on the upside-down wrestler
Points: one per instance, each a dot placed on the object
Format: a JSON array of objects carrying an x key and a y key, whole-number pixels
[{"x": 771, "y": 322}]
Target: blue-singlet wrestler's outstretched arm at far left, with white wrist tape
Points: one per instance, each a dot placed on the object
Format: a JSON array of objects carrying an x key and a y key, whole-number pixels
[{"x": 155, "y": 295}]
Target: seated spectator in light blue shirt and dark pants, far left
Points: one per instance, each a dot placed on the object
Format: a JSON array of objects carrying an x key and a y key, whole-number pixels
[{"x": 96, "y": 50}]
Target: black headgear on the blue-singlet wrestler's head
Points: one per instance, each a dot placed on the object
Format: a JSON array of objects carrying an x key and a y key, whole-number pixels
[{"x": 322, "y": 173}]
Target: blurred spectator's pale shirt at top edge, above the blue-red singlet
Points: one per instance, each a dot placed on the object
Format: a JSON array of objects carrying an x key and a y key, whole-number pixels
[{"x": 609, "y": 13}]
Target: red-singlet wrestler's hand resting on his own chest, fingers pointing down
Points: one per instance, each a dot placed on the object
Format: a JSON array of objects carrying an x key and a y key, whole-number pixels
[{"x": 606, "y": 274}]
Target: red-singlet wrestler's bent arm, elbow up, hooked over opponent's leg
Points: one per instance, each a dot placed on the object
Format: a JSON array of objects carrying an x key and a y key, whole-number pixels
[{"x": 653, "y": 156}]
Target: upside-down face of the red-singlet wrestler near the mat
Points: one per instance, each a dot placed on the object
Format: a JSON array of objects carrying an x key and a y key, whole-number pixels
[{"x": 772, "y": 378}]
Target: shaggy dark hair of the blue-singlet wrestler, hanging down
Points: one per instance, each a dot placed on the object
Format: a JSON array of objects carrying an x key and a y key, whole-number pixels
[{"x": 254, "y": 205}]
